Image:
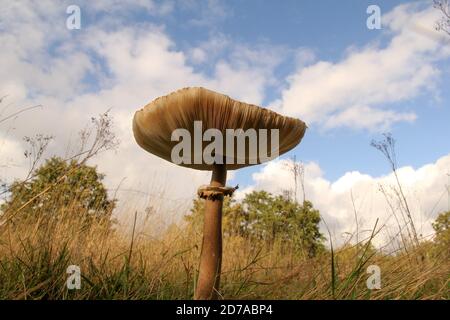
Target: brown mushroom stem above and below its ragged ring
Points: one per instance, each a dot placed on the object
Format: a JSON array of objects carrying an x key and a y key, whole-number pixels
[{"x": 211, "y": 252}]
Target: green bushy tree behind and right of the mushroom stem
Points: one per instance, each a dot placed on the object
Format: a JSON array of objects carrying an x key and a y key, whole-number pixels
[{"x": 266, "y": 217}]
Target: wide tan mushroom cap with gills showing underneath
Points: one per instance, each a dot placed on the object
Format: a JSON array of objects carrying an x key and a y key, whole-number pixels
[{"x": 153, "y": 124}]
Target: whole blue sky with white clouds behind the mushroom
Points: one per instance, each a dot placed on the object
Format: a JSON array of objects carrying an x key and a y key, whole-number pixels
[{"x": 317, "y": 61}]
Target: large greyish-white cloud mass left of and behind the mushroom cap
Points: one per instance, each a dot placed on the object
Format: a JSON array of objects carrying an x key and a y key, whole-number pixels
[{"x": 78, "y": 74}]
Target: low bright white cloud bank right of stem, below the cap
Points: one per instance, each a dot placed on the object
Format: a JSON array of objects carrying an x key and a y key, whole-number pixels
[{"x": 425, "y": 189}]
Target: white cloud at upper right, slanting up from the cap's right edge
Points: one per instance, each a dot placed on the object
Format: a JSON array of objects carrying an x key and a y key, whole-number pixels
[{"x": 362, "y": 89}]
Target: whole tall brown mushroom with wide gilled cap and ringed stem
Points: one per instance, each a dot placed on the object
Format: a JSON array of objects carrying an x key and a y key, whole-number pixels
[{"x": 153, "y": 128}]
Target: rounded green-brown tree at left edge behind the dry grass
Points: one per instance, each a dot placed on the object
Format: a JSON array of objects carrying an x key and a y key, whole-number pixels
[{"x": 60, "y": 186}]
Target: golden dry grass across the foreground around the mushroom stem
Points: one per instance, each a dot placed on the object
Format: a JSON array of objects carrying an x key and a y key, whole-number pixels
[{"x": 34, "y": 256}]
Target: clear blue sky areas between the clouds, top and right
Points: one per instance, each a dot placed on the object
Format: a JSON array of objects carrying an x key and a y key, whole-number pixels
[{"x": 328, "y": 28}]
